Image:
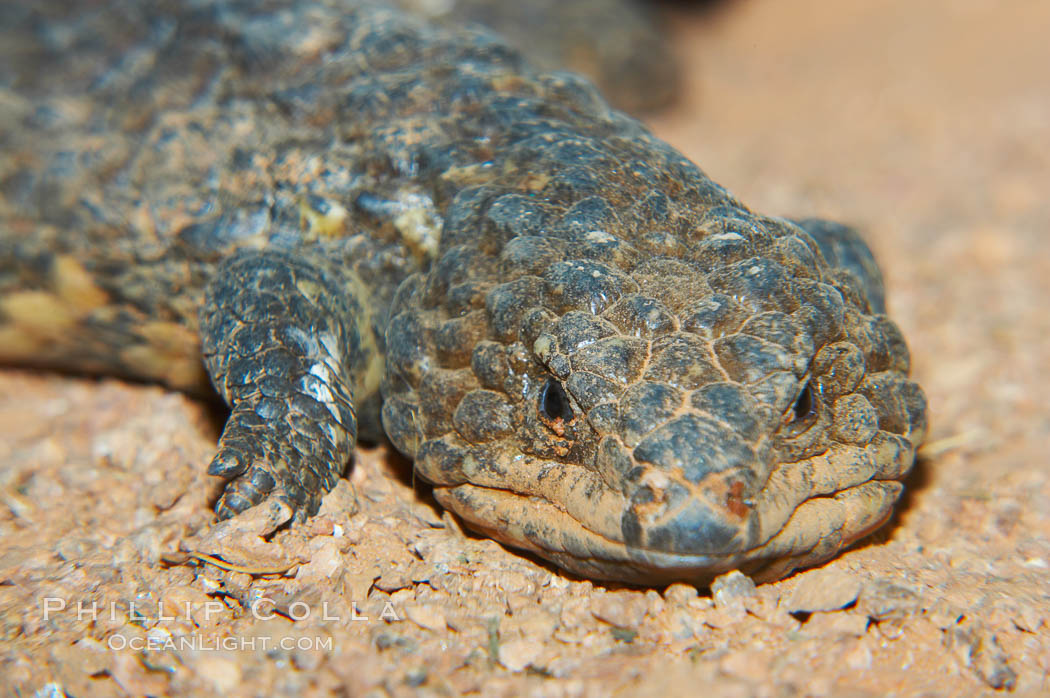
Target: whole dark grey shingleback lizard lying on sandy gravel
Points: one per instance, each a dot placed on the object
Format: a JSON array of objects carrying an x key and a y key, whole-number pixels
[{"x": 367, "y": 224}]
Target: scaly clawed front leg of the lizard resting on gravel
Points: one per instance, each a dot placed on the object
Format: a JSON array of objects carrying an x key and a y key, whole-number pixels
[{"x": 282, "y": 342}]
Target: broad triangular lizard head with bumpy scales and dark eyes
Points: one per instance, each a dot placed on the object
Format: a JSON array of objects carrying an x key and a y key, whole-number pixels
[{"x": 653, "y": 408}]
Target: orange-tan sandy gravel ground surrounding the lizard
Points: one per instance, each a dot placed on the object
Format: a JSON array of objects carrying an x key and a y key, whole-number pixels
[{"x": 928, "y": 125}]
